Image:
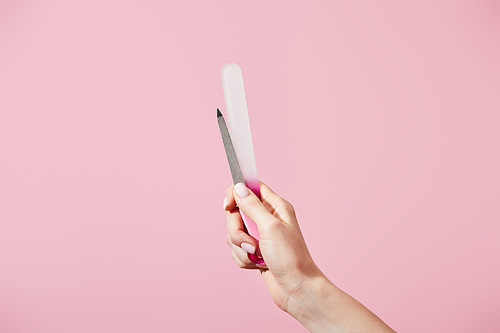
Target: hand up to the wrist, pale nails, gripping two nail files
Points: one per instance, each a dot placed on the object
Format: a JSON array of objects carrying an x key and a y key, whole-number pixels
[{"x": 289, "y": 266}]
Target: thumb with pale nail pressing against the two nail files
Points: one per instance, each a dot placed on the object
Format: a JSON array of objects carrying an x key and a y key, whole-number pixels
[{"x": 252, "y": 207}]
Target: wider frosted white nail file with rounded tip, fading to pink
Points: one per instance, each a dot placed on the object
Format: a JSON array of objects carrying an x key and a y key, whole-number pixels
[{"x": 241, "y": 136}]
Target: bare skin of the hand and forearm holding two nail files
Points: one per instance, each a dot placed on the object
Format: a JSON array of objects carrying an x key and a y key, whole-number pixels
[{"x": 295, "y": 283}]
